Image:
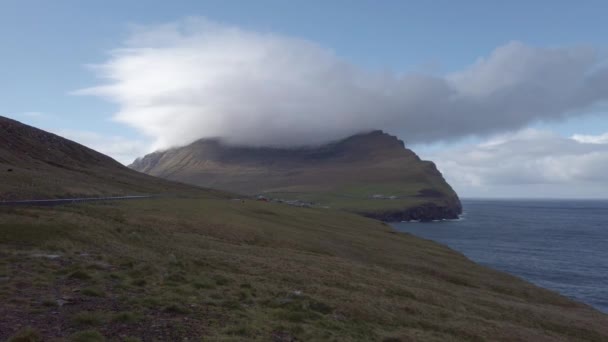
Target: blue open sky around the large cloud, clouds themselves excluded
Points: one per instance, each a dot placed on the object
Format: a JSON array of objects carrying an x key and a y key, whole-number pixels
[{"x": 47, "y": 45}]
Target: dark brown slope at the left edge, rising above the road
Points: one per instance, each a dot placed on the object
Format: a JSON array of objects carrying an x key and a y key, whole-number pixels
[{"x": 36, "y": 164}]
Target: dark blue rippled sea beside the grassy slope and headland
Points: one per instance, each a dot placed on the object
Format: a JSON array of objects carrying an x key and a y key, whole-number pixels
[{"x": 557, "y": 244}]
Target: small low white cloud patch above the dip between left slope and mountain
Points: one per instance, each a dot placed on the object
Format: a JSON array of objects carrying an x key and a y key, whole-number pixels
[{"x": 122, "y": 149}]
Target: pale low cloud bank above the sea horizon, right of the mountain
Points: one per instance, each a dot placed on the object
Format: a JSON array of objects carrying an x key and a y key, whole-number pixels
[{"x": 529, "y": 163}]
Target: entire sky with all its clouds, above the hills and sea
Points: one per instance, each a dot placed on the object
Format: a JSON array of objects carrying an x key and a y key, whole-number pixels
[{"x": 509, "y": 99}]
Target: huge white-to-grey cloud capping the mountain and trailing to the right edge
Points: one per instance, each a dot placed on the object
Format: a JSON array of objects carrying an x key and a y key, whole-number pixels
[{"x": 179, "y": 82}]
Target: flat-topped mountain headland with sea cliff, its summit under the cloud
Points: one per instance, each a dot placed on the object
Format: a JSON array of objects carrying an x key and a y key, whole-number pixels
[{"x": 371, "y": 174}]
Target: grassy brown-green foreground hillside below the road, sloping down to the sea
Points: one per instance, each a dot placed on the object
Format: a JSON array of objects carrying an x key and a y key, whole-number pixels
[{"x": 166, "y": 269}]
